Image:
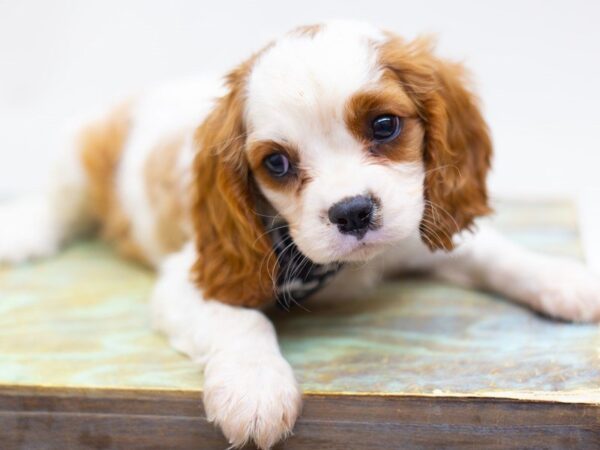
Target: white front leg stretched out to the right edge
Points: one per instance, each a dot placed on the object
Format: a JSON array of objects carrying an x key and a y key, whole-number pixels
[{"x": 558, "y": 287}]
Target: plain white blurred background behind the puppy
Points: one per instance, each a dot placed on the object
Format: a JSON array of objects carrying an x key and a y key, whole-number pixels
[{"x": 536, "y": 65}]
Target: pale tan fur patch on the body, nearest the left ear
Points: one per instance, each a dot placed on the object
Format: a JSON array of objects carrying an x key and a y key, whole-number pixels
[{"x": 166, "y": 193}]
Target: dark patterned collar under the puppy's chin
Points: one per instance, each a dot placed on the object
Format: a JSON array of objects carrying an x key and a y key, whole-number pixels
[{"x": 298, "y": 277}]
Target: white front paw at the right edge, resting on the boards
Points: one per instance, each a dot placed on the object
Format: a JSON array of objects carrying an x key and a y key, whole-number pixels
[{"x": 568, "y": 290}]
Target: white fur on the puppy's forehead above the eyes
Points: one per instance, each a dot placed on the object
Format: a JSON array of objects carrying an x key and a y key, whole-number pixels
[{"x": 300, "y": 85}]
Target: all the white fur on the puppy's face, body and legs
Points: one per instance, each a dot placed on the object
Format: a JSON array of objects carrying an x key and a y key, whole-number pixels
[{"x": 296, "y": 93}]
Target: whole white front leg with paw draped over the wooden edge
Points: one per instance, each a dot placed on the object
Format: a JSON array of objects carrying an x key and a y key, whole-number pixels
[{"x": 249, "y": 388}]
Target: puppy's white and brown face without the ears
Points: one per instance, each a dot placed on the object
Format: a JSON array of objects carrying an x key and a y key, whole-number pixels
[{"x": 335, "y": 143}]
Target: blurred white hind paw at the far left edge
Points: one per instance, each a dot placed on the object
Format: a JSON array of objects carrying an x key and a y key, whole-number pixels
[{"x": 26, "y": 231}]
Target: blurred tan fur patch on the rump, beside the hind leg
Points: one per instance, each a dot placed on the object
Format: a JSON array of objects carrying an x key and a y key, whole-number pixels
[{"x": 101, "y": 145}]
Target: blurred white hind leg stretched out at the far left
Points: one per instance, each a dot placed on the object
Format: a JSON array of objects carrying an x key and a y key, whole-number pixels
[{"x": 38, "y": 224}]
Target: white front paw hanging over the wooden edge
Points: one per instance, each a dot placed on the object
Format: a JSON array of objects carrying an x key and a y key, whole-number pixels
[{"x": 251, "y": 397}]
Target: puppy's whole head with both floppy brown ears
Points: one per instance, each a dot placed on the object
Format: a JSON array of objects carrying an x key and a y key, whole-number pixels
[{"x": 355, "y": 137}]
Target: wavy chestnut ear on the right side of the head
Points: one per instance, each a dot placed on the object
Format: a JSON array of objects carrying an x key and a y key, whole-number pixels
[{"x": 457, "y": 147}]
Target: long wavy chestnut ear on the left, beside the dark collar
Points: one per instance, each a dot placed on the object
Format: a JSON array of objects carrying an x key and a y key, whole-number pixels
[{"x": 235, "y": 261}]
